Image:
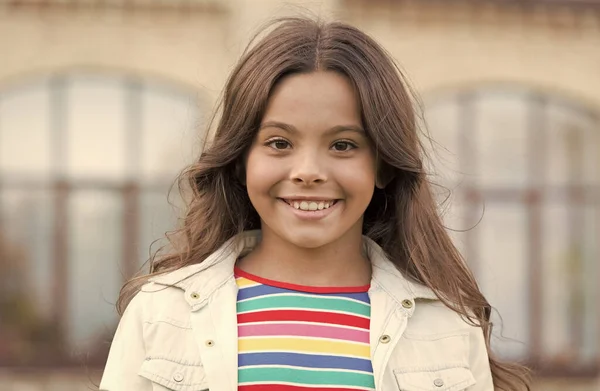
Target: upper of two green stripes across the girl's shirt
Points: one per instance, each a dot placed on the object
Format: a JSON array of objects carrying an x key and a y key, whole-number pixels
[{"x": 301, "y": 301}]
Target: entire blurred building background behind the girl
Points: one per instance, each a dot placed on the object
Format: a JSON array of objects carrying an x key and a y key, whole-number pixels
[{"x": 103, "y": 102}]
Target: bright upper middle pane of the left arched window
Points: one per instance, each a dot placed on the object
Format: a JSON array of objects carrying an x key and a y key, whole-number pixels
[{"x": 96, "y": 128}]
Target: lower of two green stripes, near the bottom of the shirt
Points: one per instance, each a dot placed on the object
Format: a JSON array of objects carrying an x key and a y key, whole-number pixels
[{"x": 304, "y": 376}]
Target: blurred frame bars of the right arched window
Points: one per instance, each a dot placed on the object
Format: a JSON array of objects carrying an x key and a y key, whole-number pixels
[{"x": 531, "y": 198}]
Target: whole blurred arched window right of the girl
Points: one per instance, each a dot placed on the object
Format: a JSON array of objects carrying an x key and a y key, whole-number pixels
[{"x": 524, "y": 171}]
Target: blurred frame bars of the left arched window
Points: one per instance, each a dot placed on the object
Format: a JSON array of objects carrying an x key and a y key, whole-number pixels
[{"x": 130, "y": 189}]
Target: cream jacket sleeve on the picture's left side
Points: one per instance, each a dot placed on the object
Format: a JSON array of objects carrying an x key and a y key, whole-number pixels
[{"x": 127, "y": 352}]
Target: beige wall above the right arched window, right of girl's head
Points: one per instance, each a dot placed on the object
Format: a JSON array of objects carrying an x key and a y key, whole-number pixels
[{"x": 448, "y": 47}]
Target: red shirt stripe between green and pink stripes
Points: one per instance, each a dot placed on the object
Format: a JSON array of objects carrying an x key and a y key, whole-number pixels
[{"x": 304, "y": 316}]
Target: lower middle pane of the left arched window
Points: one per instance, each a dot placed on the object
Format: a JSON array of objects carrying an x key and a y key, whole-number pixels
[{"x": 95, "y": 252}]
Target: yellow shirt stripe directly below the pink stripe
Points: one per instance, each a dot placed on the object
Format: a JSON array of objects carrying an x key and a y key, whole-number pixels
[{"x": 304, "y": 345}]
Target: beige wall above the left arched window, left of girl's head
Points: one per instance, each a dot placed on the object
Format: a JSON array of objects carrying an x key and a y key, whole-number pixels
[{"x": 196, "y": 48}]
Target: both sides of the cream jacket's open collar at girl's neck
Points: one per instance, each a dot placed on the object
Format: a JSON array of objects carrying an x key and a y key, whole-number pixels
[{"x": 206, "y": 277}]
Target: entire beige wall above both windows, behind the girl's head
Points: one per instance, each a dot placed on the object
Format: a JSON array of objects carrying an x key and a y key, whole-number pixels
[{"x": 553, "y": 51}]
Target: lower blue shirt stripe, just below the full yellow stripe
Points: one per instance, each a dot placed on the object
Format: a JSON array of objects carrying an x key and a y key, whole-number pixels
[{"x": 304, "y": 360}]
